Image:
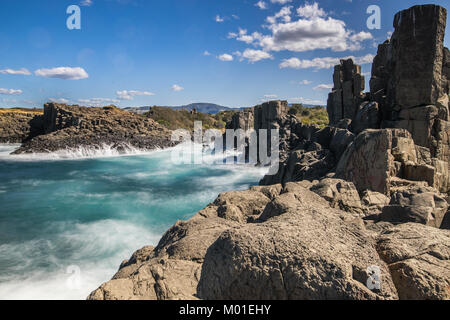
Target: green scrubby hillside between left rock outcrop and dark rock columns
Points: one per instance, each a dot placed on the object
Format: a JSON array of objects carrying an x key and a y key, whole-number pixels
[{"x": 183, "y": 119}]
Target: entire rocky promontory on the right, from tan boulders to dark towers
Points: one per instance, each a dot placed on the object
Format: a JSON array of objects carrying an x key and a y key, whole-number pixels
[{"x": 358, "y": 210}]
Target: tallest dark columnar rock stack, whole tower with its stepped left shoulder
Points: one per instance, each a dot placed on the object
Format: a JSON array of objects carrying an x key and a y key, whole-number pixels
[{"x": 410, "y": 78}]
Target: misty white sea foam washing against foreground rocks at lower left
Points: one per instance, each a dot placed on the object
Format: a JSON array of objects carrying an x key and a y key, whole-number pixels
[{"x": 115, "y": 240}]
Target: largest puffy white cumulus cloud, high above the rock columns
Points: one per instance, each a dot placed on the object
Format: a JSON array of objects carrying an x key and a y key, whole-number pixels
[{"x": 311, "y": 30}]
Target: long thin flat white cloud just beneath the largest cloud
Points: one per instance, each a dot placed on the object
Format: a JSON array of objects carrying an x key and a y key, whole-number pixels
[{"x": 322, "y": 63}]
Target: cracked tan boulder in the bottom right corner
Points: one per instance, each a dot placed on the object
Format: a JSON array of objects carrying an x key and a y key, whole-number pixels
[{"x": 418, "y": 257}]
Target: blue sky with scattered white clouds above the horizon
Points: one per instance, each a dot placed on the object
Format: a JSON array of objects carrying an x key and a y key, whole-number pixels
[{"x": 236, "y": 53}]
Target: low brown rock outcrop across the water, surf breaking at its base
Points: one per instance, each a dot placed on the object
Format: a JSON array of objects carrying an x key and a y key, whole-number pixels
[{"x": 71, "y": 127}]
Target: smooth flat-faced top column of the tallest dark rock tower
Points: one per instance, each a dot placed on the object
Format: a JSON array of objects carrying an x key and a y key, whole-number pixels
[{"x": 418, "y": 53}]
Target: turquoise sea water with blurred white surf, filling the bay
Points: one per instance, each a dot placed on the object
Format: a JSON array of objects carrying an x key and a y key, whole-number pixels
[{"x": 78, "y": 215}]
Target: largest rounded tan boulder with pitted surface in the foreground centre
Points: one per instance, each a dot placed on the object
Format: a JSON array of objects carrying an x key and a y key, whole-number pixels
[{"x": 300, "y": 252}]
